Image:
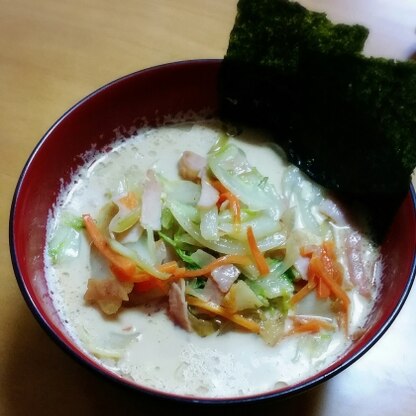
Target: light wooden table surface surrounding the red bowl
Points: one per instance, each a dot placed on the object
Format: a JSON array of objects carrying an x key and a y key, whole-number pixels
[{"x": 53, "y": 53}]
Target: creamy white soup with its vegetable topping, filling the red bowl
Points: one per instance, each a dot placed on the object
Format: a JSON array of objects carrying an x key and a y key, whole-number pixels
[{"x": 263, "y": 322}]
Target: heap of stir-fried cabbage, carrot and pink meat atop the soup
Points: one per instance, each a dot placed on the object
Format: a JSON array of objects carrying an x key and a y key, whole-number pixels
[{"x": 221, "y": 247}]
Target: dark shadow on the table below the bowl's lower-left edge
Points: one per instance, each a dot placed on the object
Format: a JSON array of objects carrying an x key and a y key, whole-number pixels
[{"x": 44, "y": 380}]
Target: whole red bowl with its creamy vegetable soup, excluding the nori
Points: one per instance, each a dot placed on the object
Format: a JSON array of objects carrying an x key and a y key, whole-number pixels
[{"x": 183, "y": 257}]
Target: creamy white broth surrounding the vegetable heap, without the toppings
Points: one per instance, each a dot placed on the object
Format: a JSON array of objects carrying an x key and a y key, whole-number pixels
[{"x": 142, "y": 343}]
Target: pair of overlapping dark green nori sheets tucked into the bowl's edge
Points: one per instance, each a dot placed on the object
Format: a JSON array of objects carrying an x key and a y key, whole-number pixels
[{"x": 346, "y": 120}]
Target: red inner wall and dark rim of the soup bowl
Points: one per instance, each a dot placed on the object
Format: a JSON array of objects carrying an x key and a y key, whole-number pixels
[{"x": 153, "y": 97}]
